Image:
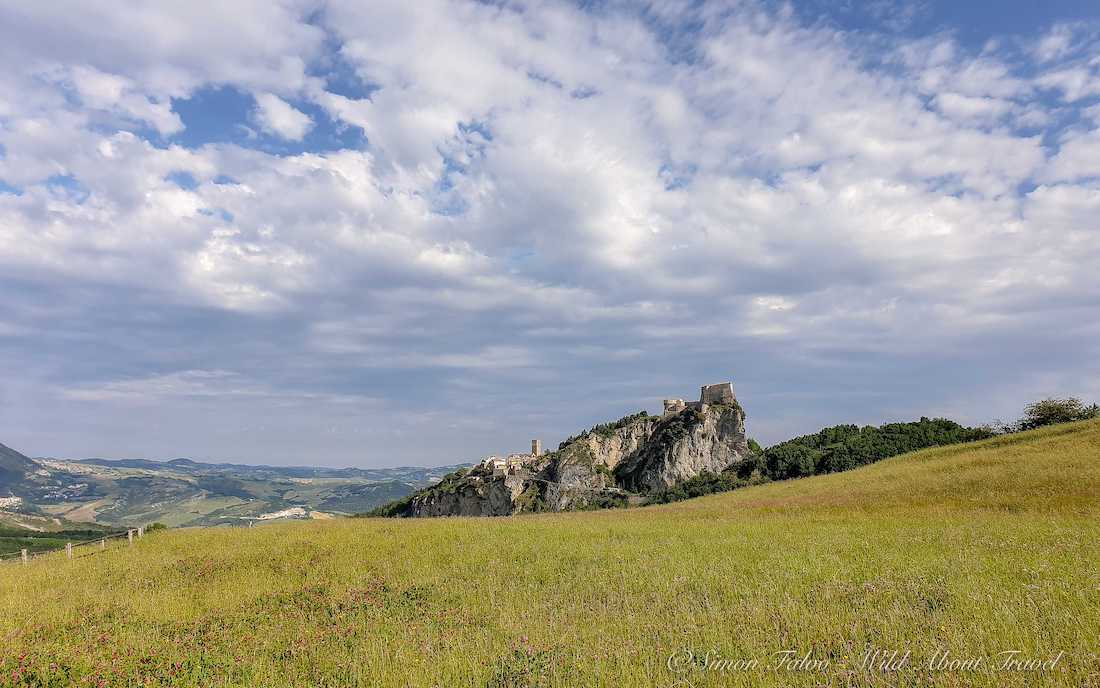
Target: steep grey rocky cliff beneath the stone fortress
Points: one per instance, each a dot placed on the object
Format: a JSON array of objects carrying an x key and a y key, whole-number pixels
[{"x": 609, "y": 465}]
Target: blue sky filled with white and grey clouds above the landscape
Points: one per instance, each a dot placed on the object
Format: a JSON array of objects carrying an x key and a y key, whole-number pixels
[{"x": 381, "y": 234}]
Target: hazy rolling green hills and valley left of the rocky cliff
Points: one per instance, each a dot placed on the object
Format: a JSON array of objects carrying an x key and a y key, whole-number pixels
[{"x": 186, "y": 493}]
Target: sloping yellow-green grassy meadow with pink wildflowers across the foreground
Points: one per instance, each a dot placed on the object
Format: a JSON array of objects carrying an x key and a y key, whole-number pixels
[{"x": 971, "y": 551}]
